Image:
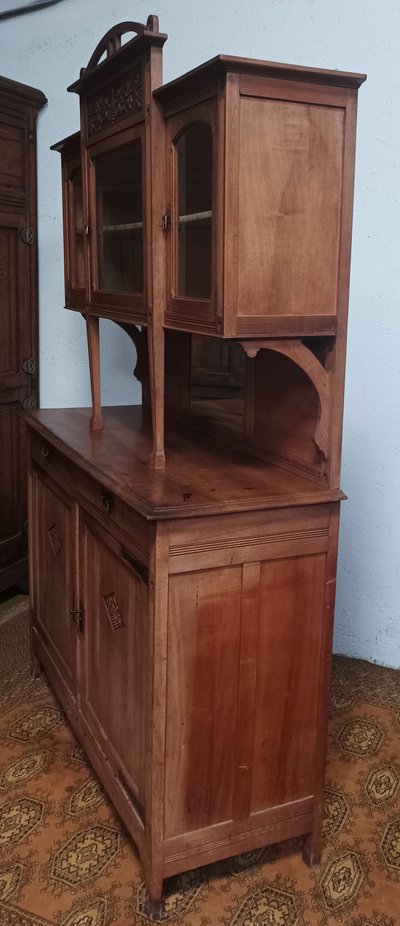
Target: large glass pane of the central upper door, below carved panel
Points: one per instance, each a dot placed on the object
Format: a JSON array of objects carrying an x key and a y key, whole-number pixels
[{"x": 120, "y": 219}]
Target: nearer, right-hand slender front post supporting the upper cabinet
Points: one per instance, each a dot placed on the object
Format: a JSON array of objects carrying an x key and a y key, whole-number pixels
[{"x": 156, "y": 369}]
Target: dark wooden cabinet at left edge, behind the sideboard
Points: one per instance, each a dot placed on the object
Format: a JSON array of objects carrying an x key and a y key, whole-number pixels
[{"x": 19, "y": 106}]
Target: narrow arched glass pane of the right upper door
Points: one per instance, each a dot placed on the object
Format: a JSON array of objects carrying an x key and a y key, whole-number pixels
[{"x": 194, "y": 156}]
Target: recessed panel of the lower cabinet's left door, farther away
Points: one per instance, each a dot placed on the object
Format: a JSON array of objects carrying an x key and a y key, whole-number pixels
[{"x": 54, "y": 591}]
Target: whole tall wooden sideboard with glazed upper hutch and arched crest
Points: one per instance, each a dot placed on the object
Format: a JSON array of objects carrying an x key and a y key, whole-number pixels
[{"x": 211, "y": 219}]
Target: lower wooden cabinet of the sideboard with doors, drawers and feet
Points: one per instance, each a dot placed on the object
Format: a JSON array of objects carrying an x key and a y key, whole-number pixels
[{"x": 192, "y": 658}]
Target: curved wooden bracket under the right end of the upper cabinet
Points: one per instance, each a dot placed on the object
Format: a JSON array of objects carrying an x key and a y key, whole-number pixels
[{"x": 308, "y": 362}]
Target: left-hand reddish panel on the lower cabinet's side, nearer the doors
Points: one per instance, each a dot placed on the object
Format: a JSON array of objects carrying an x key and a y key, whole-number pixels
[{"x": 202, "y": 691}]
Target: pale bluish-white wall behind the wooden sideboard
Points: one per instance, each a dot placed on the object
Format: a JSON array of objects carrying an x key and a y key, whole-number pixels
[{"x": 47, "y": 49}]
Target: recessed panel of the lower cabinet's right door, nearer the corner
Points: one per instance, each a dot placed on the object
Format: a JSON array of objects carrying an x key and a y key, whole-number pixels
[{"x": 115, "y": 663}]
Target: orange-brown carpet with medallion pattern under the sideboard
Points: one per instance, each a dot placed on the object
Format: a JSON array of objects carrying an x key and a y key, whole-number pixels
[{"x": 66, "y": 859}]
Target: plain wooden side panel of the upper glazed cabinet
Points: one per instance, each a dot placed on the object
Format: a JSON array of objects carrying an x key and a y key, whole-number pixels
[{"x": 290, "y": 180}]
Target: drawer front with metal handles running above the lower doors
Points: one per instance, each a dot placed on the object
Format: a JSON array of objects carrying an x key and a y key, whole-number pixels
[{"x": 114, "y": 514}]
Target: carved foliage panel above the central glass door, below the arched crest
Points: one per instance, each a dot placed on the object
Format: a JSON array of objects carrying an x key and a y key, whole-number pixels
[{"x": 123, "y": 99}]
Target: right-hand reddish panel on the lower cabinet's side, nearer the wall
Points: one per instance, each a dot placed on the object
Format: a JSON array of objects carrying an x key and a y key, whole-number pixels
[{"x": 289, "y": 649}]
